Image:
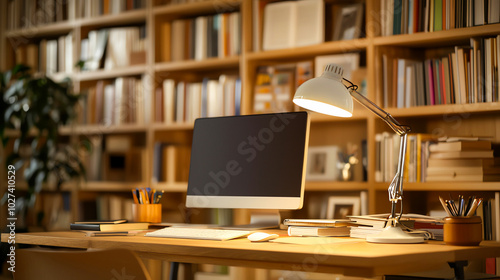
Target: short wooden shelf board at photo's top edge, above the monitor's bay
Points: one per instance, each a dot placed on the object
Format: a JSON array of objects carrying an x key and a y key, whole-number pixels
[{"x": 191, "y": 9}]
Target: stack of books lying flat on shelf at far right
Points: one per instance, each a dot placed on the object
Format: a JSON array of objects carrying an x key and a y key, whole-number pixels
[{"x": 462, "y": 159}]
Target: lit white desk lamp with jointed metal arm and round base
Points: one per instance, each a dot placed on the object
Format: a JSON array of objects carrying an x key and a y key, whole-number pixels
[{"x": 328, "y": 95}]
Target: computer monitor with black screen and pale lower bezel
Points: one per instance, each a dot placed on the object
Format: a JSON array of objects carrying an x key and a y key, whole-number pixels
[{"x": 249, "y": 162}]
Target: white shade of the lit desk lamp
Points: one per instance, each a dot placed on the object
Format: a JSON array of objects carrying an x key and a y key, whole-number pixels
[{"x": 326, "y": 94}]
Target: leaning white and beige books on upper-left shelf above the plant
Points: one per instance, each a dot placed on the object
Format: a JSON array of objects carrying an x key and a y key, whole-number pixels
[{"x": 113, "y": 48}]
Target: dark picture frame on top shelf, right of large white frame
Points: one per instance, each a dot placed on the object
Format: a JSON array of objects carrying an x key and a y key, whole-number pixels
[{"x": 347, "y": 21}]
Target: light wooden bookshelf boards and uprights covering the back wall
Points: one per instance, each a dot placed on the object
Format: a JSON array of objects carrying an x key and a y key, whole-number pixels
[{"x": 325, "y": 130}]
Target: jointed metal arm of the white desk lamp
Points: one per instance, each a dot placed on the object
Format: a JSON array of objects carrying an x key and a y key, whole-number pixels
[{"x": 396, "y": 187}]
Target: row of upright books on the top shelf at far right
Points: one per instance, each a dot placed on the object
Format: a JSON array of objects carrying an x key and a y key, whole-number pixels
[{"x": 408, "y": 17}]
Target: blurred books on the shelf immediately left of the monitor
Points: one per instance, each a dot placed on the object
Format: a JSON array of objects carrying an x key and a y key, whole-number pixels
[{"x": 171, "y": 162}]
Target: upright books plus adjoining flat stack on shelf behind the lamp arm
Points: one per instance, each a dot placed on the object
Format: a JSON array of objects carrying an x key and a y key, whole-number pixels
[{"x": 429, "y": 159}]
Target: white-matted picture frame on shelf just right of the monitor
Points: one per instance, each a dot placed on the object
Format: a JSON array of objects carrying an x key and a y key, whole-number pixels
[{"x": 322, "y": 163}]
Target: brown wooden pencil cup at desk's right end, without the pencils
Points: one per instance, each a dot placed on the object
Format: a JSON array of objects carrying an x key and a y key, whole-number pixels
[{"x": 463, "y": 231}]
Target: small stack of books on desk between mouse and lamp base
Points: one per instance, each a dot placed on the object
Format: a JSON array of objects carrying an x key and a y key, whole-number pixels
[{"x": 320, "y": 227}]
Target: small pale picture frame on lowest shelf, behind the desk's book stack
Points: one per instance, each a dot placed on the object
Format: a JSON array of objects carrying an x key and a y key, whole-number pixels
[{"x": 340, "y": 207}]
